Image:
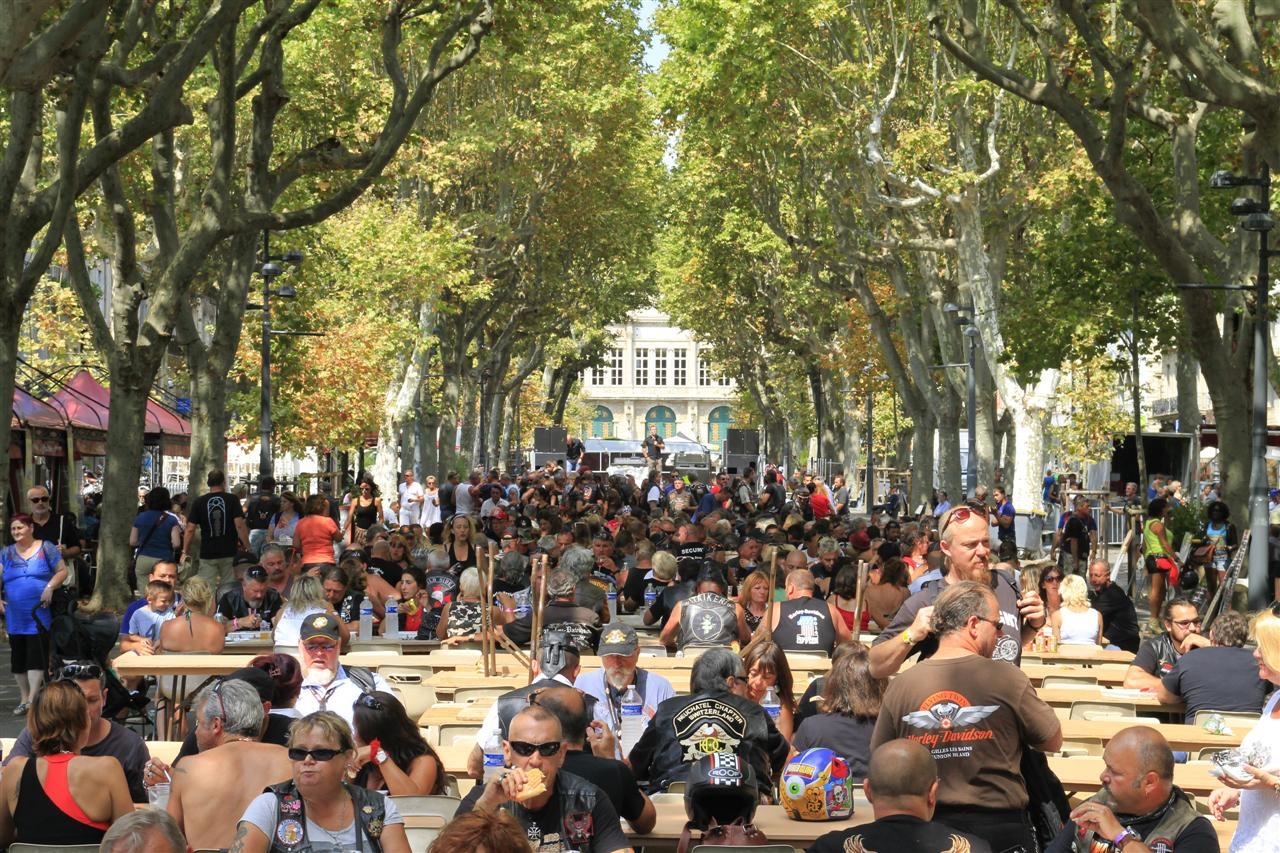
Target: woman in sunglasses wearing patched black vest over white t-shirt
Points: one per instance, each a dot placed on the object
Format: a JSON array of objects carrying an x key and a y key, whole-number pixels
[{"x": 318, "y": 809}]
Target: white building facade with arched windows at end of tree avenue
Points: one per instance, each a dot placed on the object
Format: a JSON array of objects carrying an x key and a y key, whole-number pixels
[{"x": 657, "y": 375}]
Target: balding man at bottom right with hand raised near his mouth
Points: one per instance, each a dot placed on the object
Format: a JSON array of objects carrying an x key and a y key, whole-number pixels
[{"x": 1139, "y": 809}]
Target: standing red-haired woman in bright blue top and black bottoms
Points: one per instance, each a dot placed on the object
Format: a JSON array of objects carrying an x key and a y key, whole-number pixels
[{"x": 33, "y": 571}]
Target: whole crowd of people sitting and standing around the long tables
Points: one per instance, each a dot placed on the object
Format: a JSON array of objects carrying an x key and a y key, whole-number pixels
[{"x": 747, "y": 580}]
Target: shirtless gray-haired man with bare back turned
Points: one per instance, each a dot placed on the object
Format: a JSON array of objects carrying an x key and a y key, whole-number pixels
[{"x": 228, "y": 724}]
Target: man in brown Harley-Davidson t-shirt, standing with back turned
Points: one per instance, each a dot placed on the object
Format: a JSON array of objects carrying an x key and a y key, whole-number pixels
[{"x": 976, "y": 717}]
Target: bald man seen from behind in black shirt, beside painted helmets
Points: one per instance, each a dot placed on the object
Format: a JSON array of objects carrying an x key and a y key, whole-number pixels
[{"x": 903, "y": 787}]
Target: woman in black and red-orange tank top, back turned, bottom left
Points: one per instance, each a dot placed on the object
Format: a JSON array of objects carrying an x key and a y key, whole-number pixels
[{"x": 61, "y": 797}]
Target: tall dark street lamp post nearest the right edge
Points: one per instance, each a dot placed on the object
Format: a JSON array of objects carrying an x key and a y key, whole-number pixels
[{"x": 1256, "y": 217}]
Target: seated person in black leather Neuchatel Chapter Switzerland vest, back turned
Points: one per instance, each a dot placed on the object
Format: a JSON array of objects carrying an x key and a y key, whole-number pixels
[{"x": 716, "y": 717}]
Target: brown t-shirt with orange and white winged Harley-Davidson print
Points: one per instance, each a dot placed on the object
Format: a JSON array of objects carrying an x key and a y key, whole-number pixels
[{"x": 975, "y": 715}]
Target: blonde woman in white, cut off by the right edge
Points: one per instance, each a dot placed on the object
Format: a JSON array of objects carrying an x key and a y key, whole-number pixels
[{"x": 1259, "y": 799}]
